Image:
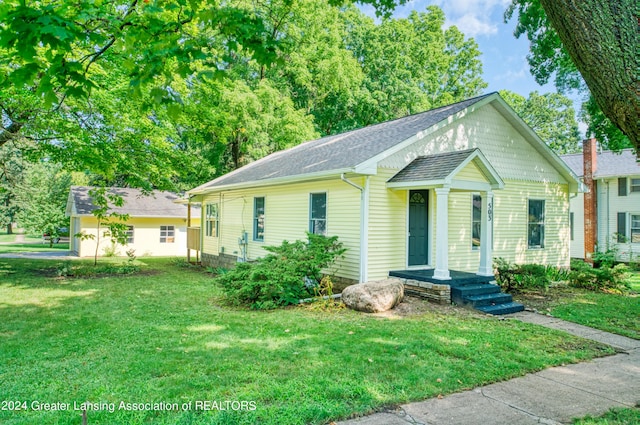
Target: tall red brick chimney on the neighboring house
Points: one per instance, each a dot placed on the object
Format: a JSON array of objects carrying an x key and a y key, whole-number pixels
[{"x": 590, "y": 163}]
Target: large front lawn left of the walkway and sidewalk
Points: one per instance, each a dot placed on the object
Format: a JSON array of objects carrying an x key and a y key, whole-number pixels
[{"x": 164, "y": 336}]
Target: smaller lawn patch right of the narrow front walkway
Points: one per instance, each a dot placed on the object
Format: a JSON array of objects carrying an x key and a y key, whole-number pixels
[{"x": 614, "y": 313}]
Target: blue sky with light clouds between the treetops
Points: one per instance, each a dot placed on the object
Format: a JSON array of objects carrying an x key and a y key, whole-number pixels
[{"x": 504, "y": 57}]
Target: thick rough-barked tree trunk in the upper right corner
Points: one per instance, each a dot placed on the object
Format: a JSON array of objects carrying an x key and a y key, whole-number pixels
[{"x": 601, "y": 36}]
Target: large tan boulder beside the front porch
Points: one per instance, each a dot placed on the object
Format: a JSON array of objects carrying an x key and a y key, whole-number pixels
[{"x": 374, "y": 297}]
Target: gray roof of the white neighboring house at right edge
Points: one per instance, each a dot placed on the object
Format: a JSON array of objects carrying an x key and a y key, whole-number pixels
[{"x": 609, "y": 164}]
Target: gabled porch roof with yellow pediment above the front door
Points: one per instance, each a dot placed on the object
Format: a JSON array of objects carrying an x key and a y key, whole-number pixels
[{"x": 451, "y": 169}]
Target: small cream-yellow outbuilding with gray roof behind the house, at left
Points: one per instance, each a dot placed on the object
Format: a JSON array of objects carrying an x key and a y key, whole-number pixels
[{"x": 157, "y": 223}]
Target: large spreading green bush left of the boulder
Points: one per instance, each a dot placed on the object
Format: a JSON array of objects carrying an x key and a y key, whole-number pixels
[{"x": 289, "y": 272}]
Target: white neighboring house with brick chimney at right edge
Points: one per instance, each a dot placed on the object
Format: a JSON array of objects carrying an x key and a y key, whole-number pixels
[{"x": 607, "y": 217}]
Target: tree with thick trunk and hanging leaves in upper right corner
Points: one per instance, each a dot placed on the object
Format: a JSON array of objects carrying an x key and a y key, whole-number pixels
[{"x": 599, "y": 40}]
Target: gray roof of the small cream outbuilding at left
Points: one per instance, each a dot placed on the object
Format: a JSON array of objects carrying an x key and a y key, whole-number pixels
[{"x": 136, "y": 203}]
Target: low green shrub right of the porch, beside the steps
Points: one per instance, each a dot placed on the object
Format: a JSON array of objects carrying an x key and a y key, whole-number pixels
[{"x": 520, "y": 277}]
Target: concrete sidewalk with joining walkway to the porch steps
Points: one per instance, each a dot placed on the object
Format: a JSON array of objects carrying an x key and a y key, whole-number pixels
[{"x": 552, "y": 396}]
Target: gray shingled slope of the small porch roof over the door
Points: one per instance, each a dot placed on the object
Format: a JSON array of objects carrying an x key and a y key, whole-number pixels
[{"x": 434, "y": 167}]
